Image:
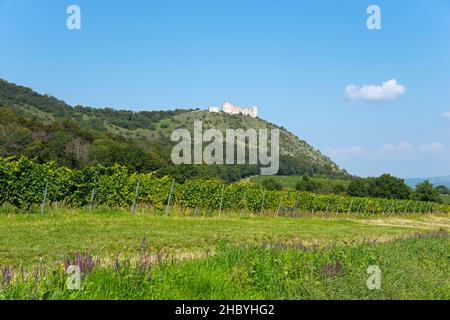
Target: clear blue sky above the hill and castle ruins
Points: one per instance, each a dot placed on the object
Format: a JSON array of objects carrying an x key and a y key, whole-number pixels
[{"x": 293, "y": 59}]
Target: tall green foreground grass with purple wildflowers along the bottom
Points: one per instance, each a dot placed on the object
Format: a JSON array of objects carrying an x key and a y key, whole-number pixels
[{"x": 414, "y": 268}]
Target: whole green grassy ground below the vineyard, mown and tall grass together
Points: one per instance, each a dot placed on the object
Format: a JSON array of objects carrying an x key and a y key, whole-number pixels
[{"x": 148, "y": 256}]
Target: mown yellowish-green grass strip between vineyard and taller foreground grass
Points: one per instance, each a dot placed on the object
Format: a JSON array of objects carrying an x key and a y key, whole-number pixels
[{"x": 28, "y": 238}]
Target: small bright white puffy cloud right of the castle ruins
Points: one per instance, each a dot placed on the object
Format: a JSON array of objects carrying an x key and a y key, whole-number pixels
[{"x": 387, "y": 91}]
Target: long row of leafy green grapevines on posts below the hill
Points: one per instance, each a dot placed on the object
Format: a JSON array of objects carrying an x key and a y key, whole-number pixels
[{"x": 25, "y": 183}]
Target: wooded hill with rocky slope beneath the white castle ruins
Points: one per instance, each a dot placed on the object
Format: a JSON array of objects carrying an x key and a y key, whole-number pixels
[{"x": 49, "y": 129}]
